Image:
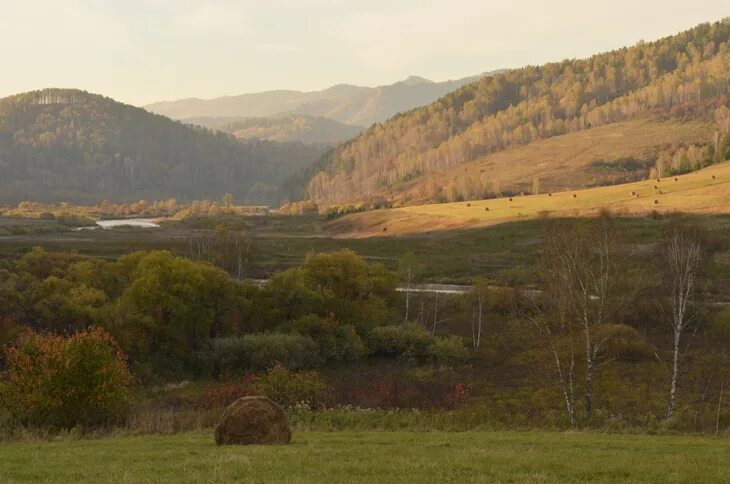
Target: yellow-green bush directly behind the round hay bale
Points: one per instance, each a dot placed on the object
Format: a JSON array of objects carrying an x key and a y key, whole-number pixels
[{"x": 290, "y": 388}]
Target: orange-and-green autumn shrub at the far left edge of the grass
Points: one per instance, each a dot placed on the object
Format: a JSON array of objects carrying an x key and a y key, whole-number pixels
[{"x": 61, "y": 382}]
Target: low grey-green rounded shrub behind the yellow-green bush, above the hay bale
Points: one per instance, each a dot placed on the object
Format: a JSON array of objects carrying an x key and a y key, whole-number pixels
[{"x": 263, "y": 351}]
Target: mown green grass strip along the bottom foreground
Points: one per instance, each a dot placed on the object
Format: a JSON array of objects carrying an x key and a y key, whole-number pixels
[{"x": 374, "y": 457}]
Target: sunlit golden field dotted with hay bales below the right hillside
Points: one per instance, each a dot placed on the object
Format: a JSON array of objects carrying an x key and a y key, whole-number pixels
[{"x": 705, "y": 191}]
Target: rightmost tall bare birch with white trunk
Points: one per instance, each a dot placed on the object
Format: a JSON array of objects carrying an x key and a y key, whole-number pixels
[{"x": 682, "y": 254}]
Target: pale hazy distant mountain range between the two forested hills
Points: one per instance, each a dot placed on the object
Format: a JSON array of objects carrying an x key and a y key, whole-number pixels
[{"x": 348, "y": 104}]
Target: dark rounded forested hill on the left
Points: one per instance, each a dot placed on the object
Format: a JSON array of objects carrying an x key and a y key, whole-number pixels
[{"x": 69, "y": 145}]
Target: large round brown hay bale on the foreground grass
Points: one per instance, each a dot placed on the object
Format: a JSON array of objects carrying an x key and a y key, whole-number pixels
[{"x": 253, "y": 420}]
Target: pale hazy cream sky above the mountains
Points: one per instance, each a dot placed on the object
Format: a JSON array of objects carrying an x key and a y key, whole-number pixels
[{"x": 139, "y": 51}]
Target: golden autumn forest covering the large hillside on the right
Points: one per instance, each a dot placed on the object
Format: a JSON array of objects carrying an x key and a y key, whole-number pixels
[{"x": 683, "y": 78}]
